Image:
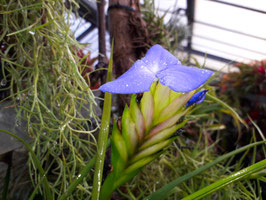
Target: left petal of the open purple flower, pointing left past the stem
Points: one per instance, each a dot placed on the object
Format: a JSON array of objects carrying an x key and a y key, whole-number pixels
[{"x": 136, "y": 80}]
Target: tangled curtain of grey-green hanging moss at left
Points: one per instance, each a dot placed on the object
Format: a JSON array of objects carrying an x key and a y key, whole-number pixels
[{"x": 42, "y": 70}]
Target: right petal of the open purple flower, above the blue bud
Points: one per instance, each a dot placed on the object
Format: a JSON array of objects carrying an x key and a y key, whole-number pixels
[{"x": 182, "y": 78}]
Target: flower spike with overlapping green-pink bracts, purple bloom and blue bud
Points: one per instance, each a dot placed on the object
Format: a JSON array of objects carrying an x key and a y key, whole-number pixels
[{"x": 146, "y": 129}]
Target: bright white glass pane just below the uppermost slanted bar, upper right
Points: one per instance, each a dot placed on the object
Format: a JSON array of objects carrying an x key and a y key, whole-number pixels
[{"x": 232, "y": 18}]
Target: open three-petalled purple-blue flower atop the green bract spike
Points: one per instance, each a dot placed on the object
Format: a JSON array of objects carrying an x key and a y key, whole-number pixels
[{"x": 157, "y": 64}]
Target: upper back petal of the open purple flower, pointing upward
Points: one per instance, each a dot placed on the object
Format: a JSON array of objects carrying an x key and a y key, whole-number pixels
[{"x": 158, "y": 58}]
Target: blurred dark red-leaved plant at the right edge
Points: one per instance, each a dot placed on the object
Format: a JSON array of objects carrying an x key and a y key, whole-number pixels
[{"x": 246, "y": 91}]
